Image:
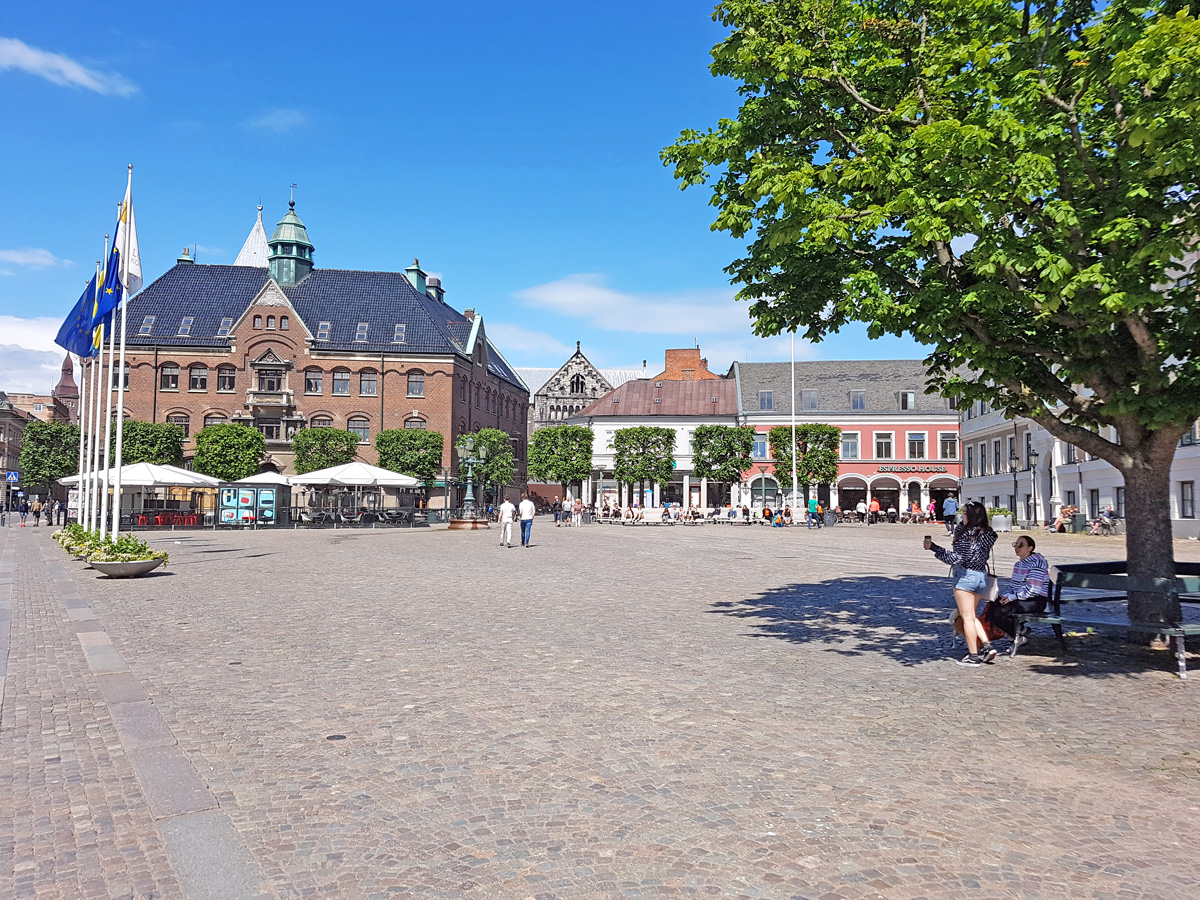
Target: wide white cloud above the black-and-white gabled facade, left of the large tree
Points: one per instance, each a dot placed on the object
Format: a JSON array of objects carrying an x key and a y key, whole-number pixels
[{"x": 587, "y": 297}]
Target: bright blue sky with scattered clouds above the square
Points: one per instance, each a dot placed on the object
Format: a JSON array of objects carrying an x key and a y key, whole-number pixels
[{"x": 514, "y": 148}]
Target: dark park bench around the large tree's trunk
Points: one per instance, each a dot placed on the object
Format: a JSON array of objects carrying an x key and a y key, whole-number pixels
[{"x": 1115, "y": 587}]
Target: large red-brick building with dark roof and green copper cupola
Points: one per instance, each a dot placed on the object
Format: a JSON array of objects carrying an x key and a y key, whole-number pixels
[{"x": 278, "y": 345}]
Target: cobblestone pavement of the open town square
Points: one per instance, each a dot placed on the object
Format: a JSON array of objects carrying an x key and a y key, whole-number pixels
[{"x": 615, "y": 713}]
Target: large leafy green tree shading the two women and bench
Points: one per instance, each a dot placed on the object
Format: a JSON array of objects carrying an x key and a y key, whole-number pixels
[{"x": 1013, "y": 184}]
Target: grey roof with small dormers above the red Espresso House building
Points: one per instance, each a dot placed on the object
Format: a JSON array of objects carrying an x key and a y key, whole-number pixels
[{"x": 833, "y": 381}]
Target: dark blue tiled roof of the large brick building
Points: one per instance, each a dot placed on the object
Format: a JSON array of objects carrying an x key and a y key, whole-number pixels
[{"x": 340, "y": 297}]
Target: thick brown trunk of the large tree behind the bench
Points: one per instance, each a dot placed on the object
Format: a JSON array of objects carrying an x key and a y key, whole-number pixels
[{"x": 1150, "y": 553}]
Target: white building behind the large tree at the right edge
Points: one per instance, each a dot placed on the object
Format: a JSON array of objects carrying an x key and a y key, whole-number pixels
[{"x": 998, "y": 470}]
